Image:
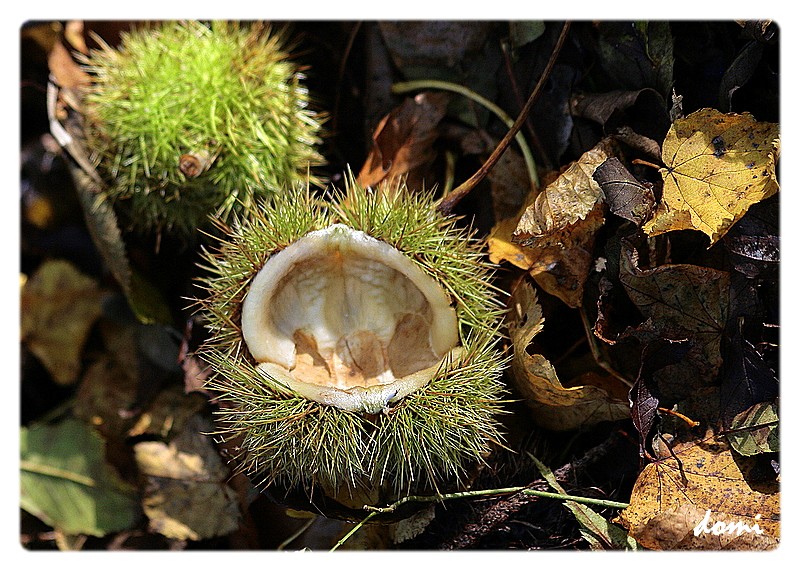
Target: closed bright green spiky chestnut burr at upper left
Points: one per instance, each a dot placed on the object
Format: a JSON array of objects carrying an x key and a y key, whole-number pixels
[{"x": 225, "y": 93}]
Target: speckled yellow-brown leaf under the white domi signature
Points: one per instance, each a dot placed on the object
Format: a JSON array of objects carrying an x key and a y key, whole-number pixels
[{"x": 670, "y": 500}]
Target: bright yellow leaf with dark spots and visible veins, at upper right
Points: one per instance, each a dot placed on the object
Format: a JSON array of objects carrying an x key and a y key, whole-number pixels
[{"x": 717, "y": 166}]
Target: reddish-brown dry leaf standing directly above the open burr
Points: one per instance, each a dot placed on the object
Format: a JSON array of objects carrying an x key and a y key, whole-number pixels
[{"x": 402, "y": 144}]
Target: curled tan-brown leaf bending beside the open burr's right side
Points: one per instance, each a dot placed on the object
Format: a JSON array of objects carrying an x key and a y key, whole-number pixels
[{"x": 554, "y": 406}]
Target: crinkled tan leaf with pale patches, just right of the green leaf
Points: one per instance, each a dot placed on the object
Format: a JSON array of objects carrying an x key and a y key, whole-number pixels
[{"x": 187, "y": 496}]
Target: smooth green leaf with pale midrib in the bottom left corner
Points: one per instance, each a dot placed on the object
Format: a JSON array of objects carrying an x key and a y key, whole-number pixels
[{"x": 66, "y": 482}]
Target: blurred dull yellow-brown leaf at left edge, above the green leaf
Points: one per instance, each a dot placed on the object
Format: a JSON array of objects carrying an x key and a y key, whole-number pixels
[{"x": 59, "y": 306}]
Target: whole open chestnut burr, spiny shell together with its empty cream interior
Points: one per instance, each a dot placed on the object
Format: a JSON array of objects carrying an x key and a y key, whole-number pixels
[{"x": 426, "y": 437}]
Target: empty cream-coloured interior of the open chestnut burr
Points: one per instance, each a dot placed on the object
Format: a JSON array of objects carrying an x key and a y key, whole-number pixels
[{"x": 347, "y": 320}]
